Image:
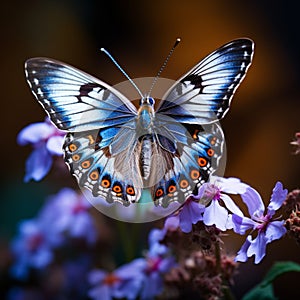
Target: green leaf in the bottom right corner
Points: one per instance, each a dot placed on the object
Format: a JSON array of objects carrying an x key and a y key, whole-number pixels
[{"x": 264, "y": 290}]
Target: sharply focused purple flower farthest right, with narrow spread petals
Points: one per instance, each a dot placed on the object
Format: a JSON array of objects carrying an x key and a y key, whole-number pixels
[{"x": 268, "y": 229}]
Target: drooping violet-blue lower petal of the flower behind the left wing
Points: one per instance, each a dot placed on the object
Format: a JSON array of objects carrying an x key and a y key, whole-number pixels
[{"x": 38, "y": 164}]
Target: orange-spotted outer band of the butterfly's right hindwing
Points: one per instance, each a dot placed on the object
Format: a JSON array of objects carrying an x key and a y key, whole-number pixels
[{"x": 196, "y": 162}]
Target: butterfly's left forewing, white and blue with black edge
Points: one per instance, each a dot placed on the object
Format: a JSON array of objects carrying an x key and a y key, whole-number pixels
[{"x": 74, "y": 100}]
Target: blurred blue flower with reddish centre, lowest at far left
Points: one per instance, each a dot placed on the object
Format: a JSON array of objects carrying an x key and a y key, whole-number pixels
[{"x": 31, "y": 249}]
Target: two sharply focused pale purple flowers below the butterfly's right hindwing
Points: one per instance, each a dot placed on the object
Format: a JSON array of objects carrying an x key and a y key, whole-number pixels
[{"x": 213, "y": 206}]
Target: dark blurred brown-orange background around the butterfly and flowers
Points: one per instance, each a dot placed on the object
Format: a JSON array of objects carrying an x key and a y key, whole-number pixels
[{"x": 259, "y": 127}]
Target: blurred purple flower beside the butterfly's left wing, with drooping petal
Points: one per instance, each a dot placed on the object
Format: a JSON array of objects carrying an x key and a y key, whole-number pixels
[{"x": 46, "y": 141}]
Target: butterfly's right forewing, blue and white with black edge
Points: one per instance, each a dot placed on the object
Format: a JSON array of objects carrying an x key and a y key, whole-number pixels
[{"x": 203, "y": 95}]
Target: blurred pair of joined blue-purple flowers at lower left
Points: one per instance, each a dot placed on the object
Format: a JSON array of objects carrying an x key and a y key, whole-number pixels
[{"x": 65, "y": 215}]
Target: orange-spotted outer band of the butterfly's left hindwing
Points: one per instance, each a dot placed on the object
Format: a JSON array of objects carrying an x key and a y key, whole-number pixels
[{"x": 94, "y": 168}]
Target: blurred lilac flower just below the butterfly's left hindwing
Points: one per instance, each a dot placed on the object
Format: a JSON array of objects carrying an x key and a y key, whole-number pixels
[{"x": 67, "y": 213}]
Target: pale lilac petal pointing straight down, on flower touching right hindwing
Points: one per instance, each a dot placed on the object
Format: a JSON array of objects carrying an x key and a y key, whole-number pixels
[{"x": 215, "y": 214}]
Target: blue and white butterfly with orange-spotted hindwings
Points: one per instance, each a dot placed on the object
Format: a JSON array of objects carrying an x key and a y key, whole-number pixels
[{"x": 117, "y": 150}]
